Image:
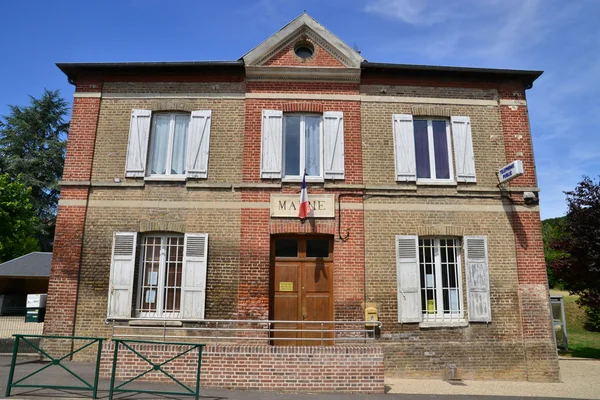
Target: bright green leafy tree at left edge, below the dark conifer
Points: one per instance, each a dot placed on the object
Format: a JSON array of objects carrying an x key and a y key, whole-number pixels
[{"x": 18, "y": 221}]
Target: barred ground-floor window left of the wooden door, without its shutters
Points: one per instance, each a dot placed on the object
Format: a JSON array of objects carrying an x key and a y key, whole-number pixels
[{"x": 160, "y": 272}]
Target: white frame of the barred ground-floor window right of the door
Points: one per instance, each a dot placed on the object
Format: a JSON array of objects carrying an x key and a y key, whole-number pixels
[{"x": 440, "y": 316}]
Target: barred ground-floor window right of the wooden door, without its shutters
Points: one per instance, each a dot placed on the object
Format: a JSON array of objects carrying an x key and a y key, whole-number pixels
[{"x": 440, "y": 274}]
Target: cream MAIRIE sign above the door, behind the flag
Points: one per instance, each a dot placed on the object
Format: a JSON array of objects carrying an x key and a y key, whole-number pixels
[{"x": 287, "y": 206}]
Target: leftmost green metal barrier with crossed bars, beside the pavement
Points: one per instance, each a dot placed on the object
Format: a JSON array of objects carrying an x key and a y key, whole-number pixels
[{"x": 93, "y": 387}]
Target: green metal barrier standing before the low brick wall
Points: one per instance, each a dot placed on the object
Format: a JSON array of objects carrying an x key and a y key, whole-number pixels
[{"x": 188, "y": 391}]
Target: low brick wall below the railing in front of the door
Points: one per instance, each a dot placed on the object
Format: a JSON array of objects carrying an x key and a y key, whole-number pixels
[{"x": 351, "y": 369}]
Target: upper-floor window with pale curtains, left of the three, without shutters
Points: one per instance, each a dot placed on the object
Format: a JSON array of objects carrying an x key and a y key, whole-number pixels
[{"x": 168, "y": 140}]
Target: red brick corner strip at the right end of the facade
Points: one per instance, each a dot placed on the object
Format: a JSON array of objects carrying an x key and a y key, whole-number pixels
[{"x": 540, "y": 351}]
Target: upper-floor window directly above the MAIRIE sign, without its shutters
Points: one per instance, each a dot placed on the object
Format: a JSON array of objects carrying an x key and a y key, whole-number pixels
[{"x": 302, "y": 146}]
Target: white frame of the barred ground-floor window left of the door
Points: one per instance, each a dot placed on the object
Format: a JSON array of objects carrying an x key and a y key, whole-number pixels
[{"x": 161, "y": 284}]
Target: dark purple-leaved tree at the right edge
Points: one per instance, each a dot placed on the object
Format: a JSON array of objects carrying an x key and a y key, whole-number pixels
[{"x": 578, "y": 266}]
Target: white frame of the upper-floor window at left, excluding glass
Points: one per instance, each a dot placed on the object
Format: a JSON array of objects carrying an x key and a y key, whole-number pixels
[{"x": 169, "y": 161}]
